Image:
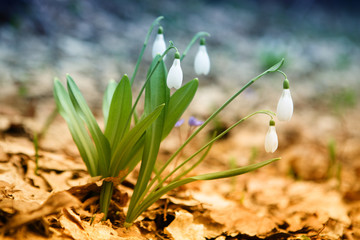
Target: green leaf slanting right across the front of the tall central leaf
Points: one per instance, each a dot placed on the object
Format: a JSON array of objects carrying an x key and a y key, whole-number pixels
[{"x": 129, "y": 140}]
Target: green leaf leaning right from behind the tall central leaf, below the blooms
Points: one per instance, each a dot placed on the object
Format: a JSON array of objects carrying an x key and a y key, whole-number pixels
[{"x": 178, "y": 103}]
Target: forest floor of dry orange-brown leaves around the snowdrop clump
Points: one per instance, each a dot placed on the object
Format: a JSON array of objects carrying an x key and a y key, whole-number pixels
[{"x": 313, "y": 192}]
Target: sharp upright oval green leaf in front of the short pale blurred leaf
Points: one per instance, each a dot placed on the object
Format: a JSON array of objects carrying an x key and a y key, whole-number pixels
[{"x": 120, "y": 109}]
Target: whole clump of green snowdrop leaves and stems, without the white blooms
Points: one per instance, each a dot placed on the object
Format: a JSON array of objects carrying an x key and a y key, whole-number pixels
[{"x": 129, "y": 139}]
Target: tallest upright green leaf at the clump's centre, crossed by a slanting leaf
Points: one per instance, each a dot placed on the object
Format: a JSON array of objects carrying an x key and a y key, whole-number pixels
[{"x": 156, "y": 93}]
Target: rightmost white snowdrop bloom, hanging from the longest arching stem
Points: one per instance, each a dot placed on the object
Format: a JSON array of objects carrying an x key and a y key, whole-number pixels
[{"x": 285, "y": 105}]
